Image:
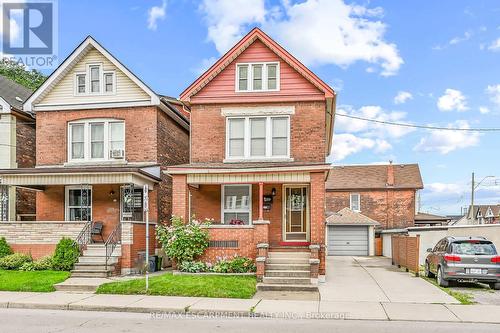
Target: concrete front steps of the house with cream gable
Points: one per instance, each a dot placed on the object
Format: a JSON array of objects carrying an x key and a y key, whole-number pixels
[{"x": 92, "y": 264}]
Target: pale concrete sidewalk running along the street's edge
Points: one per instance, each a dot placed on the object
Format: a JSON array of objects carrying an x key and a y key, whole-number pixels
[{"x": 230, "y": 308}]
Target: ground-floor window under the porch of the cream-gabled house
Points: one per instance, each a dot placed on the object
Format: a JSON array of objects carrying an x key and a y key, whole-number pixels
[{"x": 79, "y": 203}]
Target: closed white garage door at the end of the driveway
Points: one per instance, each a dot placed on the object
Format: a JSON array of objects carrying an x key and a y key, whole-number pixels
[{"x": 347, "y": 240}]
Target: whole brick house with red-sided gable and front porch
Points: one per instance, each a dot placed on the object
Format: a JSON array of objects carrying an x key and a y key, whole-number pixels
[{"x": 261, "y": 129}]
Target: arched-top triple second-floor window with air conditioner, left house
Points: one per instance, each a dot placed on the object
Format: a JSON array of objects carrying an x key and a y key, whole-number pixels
[{"x": 96, "y": 140}]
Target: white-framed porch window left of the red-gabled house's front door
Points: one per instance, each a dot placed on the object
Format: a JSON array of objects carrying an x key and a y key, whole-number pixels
[{"x": 236, "y": 204}]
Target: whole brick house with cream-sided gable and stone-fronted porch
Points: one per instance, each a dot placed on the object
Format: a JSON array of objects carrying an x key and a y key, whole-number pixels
[{"x": 102, "y": 138}]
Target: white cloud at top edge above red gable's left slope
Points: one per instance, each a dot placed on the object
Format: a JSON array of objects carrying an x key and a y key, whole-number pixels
[{"x": 228, "y": 20}]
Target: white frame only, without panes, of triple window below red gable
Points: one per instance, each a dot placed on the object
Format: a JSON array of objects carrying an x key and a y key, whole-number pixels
[{"x": 247, "y": 139}]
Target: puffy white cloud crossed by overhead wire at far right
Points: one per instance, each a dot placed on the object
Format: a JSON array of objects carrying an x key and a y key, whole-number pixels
[{"x": 446, "y": 141}]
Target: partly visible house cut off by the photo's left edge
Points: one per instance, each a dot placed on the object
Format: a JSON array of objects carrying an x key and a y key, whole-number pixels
[{"x": 17, "y": 149}]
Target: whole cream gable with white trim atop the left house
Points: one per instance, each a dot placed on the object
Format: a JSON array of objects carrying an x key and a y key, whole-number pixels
[{"x": 90, "y": 77}]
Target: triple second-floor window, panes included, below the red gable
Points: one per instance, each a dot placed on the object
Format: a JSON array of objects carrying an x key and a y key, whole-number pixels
[{"x": 259, "y": 137}]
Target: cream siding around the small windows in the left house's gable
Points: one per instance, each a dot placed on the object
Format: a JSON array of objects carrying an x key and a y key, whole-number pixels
[{"x": 64, "y": 91}]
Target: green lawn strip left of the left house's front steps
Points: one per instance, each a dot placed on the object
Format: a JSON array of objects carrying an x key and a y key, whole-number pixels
[{"x": 31, "y": 281}]
